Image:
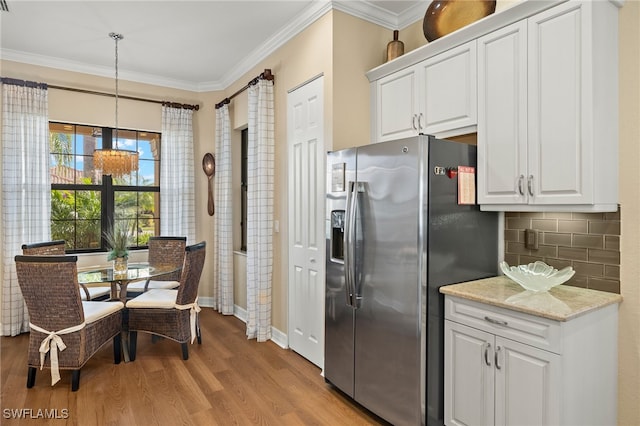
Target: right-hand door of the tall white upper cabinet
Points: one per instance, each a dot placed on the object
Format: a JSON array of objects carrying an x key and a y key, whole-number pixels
[{"x": 560, "y": 145}]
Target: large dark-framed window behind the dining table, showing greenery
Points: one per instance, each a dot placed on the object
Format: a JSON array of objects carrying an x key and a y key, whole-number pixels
[{"x": 84, "y": 203}]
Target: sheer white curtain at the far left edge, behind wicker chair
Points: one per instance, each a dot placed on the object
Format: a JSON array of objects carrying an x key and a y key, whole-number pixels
[{"x": 26, "y": 188}]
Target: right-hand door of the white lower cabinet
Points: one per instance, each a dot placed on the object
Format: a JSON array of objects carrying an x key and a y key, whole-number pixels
[{"x": 527, "y": 384}]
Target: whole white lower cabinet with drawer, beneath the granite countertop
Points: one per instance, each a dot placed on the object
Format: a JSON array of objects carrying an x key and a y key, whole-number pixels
[{"x": 504, "y": 367}]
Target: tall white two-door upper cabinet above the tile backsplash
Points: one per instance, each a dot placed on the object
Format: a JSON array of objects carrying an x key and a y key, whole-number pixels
[{"x": 548, "y": 126}]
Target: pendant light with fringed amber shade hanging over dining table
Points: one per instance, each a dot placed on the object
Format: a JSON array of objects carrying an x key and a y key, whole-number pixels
[{"x": 116, "y": 162}]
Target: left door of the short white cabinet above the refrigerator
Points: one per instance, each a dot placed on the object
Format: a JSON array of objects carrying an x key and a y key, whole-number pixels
[{"x": 396, "y": 106}]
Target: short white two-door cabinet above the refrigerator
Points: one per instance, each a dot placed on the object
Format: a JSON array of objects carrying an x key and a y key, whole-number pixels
[{"x": 436, "y": 96}]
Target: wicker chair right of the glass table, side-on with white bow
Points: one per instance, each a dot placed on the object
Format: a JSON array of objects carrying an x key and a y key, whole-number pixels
[{"x": 170, "y": 313}]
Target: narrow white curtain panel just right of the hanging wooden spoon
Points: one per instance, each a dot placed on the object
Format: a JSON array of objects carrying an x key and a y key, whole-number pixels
[{"x": 223, "y": 219}]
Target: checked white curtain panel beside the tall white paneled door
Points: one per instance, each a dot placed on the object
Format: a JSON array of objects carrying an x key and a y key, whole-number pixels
[{"x": 260, "y": 210}]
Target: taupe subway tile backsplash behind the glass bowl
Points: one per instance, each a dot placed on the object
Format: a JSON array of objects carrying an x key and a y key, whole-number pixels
[{"x": 590, "y": 242}]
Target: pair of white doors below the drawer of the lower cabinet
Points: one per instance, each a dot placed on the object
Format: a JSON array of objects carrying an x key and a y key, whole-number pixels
[{"x": 499, "y": 381}]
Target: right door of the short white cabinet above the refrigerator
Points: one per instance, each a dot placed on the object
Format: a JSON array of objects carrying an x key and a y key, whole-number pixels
[{"x": 449, "y": 94}]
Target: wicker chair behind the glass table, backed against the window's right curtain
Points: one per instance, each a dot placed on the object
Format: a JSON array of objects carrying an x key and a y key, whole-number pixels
[{"x": 165, "y": 251}]
